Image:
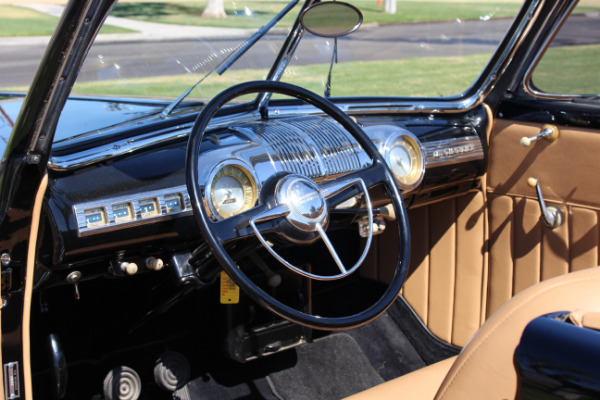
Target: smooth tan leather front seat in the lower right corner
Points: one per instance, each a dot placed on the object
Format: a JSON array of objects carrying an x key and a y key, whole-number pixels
[{"x": 484, "y": 369}]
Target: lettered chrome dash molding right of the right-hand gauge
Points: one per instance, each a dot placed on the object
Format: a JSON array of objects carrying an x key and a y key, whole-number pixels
[{"x": 452, "y": 151}]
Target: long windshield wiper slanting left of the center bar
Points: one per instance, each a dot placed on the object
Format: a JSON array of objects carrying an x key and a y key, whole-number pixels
[{"x": 232, "y": 57}]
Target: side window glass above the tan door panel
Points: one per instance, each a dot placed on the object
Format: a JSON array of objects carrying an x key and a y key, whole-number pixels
[{"x": 570, "y": 64}]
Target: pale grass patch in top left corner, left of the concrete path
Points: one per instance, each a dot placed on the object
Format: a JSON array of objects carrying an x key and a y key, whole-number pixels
[{"x": 19, "y": 21}]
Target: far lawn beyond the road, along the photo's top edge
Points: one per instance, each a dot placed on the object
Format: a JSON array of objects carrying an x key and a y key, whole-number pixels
[{"x": 18, "y": 21}]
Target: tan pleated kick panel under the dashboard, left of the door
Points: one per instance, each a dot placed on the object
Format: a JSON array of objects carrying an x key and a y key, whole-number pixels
[{"x": 447, "y": 273}]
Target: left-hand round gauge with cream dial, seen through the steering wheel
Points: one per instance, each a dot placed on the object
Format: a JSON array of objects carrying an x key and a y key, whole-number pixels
[{"x": 232, "y": 190}]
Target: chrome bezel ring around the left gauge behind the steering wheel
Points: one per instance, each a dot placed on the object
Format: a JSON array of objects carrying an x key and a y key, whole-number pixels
[{"x": 209, "y": 199}]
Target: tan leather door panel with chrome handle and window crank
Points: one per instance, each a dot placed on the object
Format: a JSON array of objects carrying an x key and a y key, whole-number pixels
[{"x": 523, "y": 251}]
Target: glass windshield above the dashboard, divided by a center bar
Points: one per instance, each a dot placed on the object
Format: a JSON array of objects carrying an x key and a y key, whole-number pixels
[{"x": 421, "y": 48}]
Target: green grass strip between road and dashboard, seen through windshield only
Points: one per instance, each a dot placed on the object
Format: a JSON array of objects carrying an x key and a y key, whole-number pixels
[{"x": 410, "y": 77}]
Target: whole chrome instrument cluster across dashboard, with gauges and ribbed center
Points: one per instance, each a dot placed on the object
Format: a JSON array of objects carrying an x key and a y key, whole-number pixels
[{"x": 246, "y": 155}]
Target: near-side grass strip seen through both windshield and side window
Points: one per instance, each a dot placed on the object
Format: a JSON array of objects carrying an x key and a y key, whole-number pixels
[{"x": 432, "y": 76}]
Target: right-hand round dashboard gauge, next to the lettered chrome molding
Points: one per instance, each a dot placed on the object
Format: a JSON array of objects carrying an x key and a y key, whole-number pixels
[{"x": 406, "y": 161}]
